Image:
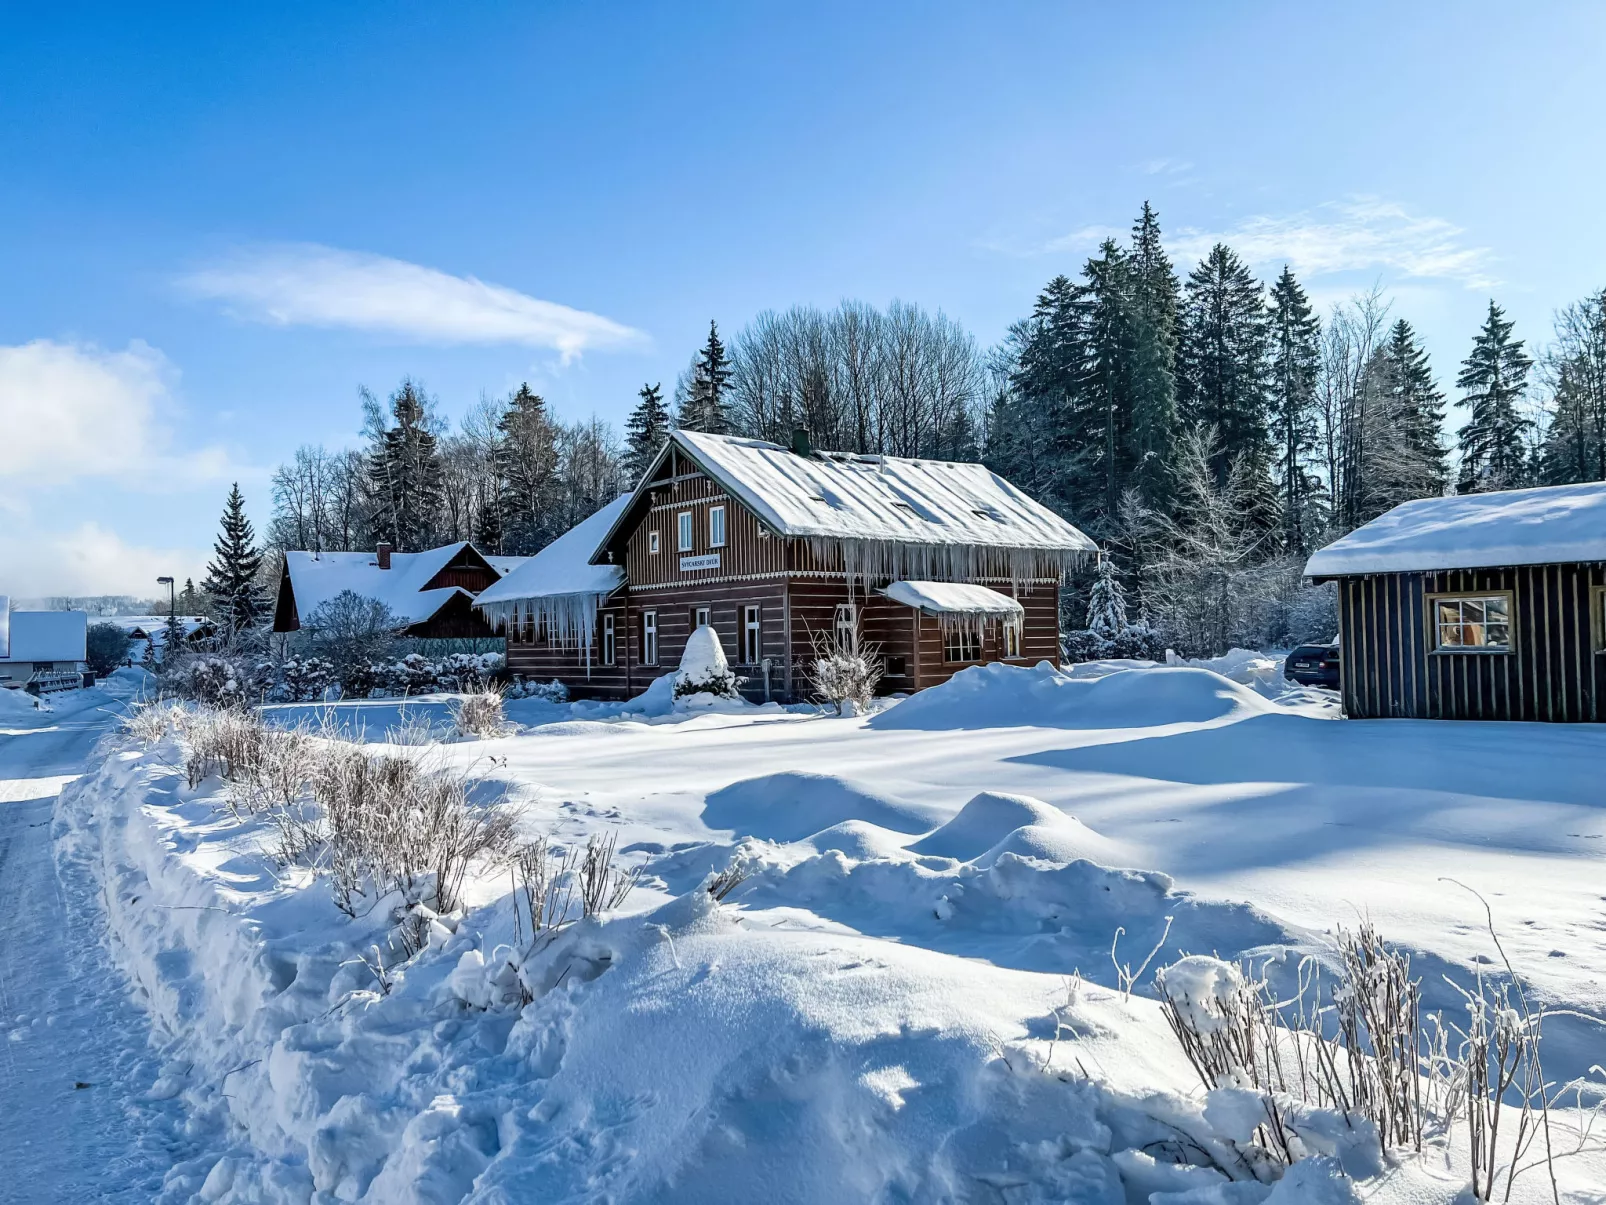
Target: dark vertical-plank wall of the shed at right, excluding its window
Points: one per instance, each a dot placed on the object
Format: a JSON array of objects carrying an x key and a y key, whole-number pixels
[{"x": 1555, "y": 669}]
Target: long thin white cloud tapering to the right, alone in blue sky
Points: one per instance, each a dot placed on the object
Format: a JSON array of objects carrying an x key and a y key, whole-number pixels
[{"x": 308, "y": 285}]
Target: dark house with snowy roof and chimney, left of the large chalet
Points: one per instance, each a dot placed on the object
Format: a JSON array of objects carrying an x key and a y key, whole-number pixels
[{"x": 430, "y": 592}]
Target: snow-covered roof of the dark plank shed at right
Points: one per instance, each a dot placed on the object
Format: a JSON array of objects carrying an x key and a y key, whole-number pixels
[{"x": 1554, "y": 525}]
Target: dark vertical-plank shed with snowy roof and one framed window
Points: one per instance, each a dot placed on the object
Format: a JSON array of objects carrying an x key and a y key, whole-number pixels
[{"x": 1490, "y": 607}]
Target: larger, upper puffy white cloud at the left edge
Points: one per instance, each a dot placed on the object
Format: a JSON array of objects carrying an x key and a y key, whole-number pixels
[{"x": 71, "y": 412}]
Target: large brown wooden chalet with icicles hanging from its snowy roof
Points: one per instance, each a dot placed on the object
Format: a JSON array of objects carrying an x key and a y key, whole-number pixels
[{"x": 940, "y": 565}]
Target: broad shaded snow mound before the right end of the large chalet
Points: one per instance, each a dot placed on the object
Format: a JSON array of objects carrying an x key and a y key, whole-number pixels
[{"x": 1014, "y": 696}]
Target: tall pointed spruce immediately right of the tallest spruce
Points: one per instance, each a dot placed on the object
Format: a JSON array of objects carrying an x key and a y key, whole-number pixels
[{"x": 1223, "y": 359}]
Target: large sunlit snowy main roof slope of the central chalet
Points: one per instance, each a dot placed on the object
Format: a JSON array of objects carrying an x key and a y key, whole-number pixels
[{"x": 881, "y": 499}]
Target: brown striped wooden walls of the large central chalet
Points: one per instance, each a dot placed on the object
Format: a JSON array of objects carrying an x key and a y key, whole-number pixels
[{"x": 767, "y": 597}]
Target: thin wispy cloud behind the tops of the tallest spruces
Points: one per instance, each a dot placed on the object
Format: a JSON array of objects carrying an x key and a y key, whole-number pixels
[{"x": 1359, "y": 235}]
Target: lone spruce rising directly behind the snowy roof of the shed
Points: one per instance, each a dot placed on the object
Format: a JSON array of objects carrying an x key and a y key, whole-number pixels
[{"x": 1493, "y": 382}]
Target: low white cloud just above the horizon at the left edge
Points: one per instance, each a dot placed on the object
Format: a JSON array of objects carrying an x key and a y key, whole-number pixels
[{"x": 88, "y": 560}]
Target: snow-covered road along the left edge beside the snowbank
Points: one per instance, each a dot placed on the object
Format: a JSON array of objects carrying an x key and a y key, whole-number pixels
[{"x": 76, "y": 1066}]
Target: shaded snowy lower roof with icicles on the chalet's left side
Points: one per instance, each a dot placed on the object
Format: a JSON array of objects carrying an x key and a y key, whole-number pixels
[{"x": 560, "y": 586}]
